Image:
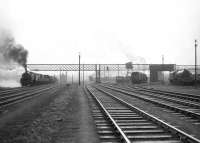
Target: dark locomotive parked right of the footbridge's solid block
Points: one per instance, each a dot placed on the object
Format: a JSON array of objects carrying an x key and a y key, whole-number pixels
[{"x": 181, "y": 77}]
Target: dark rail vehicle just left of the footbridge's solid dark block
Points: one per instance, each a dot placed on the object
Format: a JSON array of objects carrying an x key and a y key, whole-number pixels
[{"x": 138, "y": 77}]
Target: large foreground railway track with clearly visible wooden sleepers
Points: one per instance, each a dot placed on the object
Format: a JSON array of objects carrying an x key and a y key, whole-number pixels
[{"x": 118, "y": 121}]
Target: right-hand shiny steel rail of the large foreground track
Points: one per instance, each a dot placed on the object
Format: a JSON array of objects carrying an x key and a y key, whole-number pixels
[{"x": 182, "y": 135}]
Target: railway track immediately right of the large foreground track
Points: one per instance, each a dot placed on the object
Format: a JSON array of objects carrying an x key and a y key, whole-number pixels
[{"x": 190, "y": 111}]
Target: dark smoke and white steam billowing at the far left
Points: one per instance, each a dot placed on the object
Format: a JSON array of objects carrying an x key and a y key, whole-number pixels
[{"x": 13, "y": 58}]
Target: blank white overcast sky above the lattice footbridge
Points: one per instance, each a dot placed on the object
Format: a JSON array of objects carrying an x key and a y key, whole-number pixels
[{"x": 104, "y": 31}]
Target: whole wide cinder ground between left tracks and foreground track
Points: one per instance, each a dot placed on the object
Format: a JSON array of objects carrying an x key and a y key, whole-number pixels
[{"x": 66, "y": 119}]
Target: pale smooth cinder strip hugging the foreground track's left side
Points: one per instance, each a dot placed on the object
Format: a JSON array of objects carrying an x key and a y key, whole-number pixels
[{"x": 79, "y": 126}]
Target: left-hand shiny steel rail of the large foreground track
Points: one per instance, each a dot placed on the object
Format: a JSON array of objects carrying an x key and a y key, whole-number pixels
[{"x": 123, "y": 136}]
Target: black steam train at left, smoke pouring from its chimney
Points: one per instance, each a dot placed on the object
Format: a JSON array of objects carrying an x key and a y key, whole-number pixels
[{"x": 31, "y": 79}]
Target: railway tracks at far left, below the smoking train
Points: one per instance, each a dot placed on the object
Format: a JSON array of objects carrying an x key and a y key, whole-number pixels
[{"x": 25, "y": 94}]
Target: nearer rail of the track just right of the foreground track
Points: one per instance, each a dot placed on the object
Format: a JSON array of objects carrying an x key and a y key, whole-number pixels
[{"x": 193, "y": 114}]
